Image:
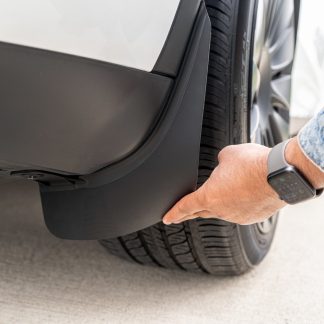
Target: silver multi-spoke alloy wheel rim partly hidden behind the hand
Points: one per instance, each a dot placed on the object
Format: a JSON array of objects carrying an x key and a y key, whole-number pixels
[{"x": 270, "y": 77}]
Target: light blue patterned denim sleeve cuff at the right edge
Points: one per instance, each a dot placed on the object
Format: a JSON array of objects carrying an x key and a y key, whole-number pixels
[{"x": 311, "y": 140}]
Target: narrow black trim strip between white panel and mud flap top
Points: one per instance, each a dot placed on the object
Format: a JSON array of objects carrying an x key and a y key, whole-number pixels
[{"x": 174, "y": 48}]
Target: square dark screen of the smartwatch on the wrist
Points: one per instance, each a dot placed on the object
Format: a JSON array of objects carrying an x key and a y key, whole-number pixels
[{"x": 291, "y": 186}]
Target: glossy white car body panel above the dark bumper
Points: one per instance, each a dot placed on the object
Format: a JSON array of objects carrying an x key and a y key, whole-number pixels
[{"x": 130, "y": 33}]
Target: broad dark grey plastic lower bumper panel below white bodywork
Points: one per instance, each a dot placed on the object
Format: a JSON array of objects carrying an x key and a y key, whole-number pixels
[{"x": 66, "y": 114}]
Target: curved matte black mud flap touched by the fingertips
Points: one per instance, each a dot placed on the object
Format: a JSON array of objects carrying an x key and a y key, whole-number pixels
[{"x": 136, "y": 192}]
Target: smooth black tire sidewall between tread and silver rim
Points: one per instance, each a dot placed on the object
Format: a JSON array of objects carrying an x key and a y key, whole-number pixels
[{"x": 254, "y": 244}]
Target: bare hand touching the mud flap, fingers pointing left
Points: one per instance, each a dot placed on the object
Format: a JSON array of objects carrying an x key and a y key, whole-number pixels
[{"x": 237, "y": 191}]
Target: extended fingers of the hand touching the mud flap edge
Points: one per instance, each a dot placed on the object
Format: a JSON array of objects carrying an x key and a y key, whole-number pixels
[{"x": 187, "y": 206}]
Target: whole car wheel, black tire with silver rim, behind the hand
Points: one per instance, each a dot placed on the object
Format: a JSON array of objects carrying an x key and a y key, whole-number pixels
[{"x": 248, "y": 95}]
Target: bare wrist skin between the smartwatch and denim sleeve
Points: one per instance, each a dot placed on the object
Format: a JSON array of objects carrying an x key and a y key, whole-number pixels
[{"x": 296, "y": 157}]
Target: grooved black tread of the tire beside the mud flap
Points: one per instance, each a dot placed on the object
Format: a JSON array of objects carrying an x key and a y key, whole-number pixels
[{"x": 203, "y": 245}]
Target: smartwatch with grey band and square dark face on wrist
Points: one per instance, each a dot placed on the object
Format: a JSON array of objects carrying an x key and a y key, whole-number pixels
[{"x": 286, "y": 180}]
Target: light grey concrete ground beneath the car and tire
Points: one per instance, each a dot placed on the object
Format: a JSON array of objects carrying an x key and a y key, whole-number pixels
[{"x": 47, "y": 280}]
